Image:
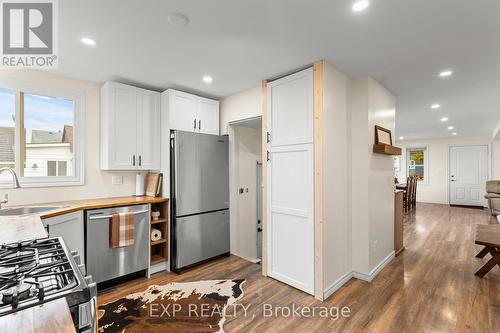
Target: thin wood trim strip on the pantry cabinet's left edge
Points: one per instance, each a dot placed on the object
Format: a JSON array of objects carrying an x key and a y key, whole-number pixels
[{"x": 264, "y": 177}]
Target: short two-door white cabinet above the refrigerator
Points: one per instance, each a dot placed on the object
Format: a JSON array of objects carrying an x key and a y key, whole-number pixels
[{"x": 187, "y": 112}]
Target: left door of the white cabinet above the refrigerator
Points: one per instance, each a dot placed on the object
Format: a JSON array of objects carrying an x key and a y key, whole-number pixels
[{"x": 182, "y": 111}]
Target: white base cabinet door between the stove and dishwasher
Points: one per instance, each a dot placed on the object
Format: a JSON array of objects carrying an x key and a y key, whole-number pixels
[{"x": 70, "y": 228}]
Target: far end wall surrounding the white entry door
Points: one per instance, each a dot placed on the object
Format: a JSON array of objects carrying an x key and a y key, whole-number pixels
[{"x": 436, "y": 188}]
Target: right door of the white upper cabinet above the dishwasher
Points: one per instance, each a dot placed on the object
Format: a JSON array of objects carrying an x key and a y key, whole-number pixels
[{"x": 148, "y": 134}]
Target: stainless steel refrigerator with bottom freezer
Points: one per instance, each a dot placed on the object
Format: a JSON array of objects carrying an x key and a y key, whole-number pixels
[{"x": 199, "y": 175}]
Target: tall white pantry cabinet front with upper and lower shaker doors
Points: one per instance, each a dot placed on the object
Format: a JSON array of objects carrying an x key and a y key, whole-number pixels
[{"x": 290, "y": 181}]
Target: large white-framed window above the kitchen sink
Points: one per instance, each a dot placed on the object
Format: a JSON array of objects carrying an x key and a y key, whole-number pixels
[{"x": 40, "y": 135}]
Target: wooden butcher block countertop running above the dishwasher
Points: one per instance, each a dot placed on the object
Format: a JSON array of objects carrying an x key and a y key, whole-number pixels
[{"x": 76, "y": 205}]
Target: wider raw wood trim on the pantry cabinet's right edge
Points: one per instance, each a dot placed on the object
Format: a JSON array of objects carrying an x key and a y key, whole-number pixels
[{"x": 318, "y": 179}]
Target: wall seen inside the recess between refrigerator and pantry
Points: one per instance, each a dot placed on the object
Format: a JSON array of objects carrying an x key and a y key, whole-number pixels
[{"x": 247, "y": 151}]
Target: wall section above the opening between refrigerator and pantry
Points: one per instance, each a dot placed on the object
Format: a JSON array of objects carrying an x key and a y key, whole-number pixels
[{"x": 244, "y": 105}]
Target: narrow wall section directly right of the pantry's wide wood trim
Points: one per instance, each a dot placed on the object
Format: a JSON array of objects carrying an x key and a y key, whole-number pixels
[{"x": 336, "y": 148}]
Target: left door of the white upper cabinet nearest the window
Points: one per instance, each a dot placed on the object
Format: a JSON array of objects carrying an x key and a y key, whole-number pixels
[{"x": 121, "y": 126}]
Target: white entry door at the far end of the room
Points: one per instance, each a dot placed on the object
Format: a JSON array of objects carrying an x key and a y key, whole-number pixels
[{"x": 468, "y": 175}]
